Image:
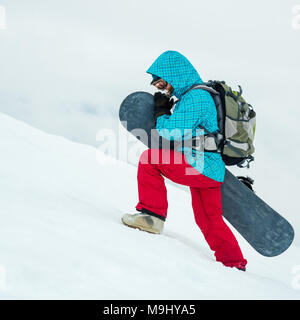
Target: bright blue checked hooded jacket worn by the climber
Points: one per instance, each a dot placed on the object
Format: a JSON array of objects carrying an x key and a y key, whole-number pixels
[{"x": 194, "y": 108}]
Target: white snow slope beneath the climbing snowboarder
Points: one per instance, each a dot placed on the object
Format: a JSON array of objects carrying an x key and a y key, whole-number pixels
[{"x": 61, "y": 235}]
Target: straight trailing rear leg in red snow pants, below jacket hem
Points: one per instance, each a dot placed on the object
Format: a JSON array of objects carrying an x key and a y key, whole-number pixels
[{"x": 207, "y": 208}]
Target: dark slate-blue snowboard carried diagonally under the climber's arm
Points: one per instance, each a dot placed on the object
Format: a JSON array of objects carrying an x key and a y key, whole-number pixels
[{"x": 263, "y": 228}]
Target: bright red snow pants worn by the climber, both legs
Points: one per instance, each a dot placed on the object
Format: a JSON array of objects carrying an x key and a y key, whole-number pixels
[{"x": 154, "y": 165}]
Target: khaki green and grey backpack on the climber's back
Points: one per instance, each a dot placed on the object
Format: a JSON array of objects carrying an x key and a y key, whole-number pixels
[{"x": 236, "y": 121}]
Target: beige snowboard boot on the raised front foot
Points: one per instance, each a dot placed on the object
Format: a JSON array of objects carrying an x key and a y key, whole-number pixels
[{"x": 143, "y": 221}]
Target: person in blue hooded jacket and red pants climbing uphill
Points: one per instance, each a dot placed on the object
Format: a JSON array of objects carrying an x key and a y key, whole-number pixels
[{"x": 203, "y": 172}]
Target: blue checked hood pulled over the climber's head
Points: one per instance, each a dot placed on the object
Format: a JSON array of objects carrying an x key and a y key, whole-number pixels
[{"x": 176, "y": 69}]
